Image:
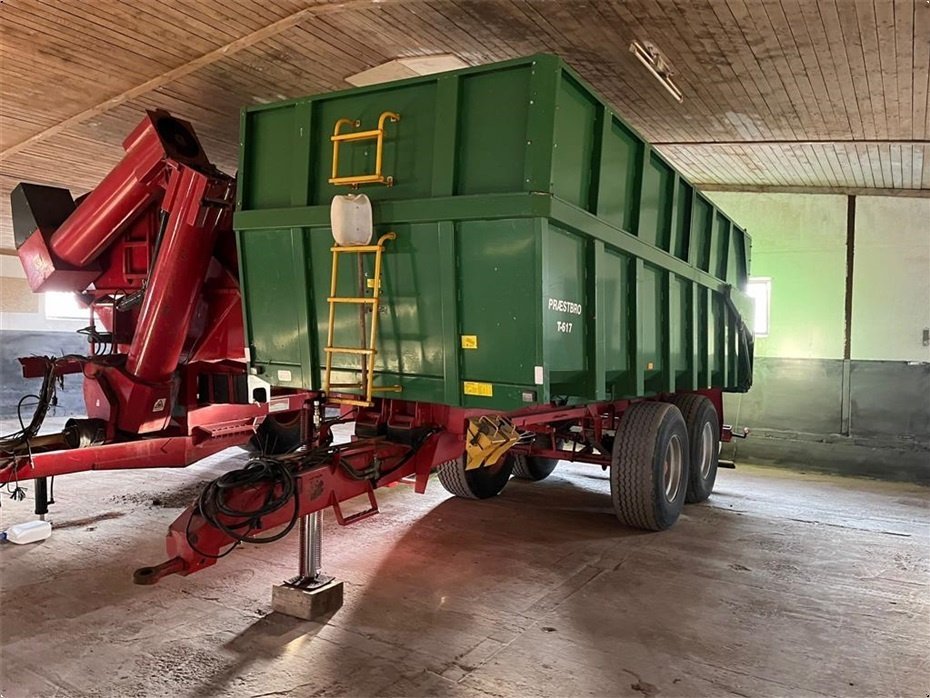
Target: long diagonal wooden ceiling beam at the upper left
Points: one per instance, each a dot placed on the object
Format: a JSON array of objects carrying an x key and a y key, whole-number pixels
[{"x": 200, "y": 62}]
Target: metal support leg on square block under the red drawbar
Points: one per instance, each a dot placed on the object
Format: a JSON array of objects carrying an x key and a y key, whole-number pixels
[{"x": 310, "y": 595}]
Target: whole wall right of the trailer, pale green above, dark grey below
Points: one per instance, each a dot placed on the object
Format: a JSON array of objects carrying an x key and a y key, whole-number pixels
[{"x": 868, "y": 413}]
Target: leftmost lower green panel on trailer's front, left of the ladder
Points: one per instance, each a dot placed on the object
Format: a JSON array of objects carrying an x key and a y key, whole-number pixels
[{"x": 272, "y": 269}]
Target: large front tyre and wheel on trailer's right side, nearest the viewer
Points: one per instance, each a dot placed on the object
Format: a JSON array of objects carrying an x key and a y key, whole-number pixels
[{"x": 649, "y": 467}]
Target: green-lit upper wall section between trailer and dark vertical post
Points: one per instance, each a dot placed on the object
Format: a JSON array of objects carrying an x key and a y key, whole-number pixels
[{"x": 799, "y": 241}]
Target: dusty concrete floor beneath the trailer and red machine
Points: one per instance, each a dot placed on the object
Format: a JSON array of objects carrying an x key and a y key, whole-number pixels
[{"x": 783, "y": 584}]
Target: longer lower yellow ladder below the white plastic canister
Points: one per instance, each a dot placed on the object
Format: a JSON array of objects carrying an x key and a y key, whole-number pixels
[{"x": 370, "y": 351}]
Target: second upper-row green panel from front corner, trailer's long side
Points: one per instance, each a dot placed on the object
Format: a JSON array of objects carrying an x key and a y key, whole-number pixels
[{"x": 621, "y": 155}]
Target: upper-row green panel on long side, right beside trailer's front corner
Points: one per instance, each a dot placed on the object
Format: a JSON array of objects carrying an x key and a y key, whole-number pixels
[{"x": 573, "y": 147}]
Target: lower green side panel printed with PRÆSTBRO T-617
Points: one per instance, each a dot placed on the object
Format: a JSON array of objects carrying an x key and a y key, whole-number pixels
[{"x": 565, "y": 309}]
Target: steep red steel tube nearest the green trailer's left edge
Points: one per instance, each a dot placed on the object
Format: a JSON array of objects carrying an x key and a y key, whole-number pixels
[{"x": 178, "y": 274}]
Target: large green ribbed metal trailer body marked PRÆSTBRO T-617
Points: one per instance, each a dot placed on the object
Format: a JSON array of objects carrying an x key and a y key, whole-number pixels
[{"x": 544, "y": 250}]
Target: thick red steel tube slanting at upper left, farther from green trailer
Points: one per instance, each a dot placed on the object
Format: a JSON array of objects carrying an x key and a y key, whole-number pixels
[{"x": 131, "y": 186}]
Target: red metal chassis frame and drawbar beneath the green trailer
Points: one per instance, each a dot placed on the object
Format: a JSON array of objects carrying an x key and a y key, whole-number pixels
[{"x": 194, "y": 544}]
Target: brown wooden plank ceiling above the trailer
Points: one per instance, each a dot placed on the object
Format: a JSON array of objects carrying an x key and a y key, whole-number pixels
[{"x": 785, "y": 94}]
